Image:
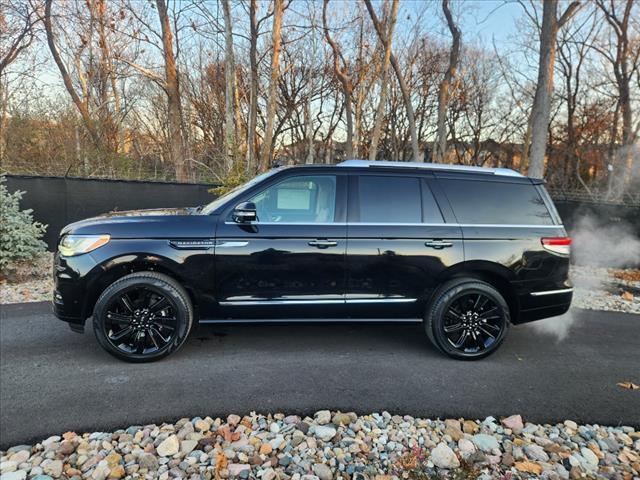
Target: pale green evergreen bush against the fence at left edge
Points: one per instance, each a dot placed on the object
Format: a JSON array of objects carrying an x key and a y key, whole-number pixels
[{"x": 20, "y": 235}]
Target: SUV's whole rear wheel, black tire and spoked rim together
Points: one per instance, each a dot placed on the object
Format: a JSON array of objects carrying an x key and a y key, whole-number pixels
[{"x": 466, "y": 306}]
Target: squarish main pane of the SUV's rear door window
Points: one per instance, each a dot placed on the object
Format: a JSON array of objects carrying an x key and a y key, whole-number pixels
[{"x": 389, "y": 199}]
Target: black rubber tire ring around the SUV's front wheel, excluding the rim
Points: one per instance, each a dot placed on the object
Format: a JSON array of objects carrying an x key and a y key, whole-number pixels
[{"x": 182, "y": 308}]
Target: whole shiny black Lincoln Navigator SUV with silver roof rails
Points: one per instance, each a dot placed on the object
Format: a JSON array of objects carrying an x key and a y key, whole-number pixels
[{"x": 466, "y": 250}]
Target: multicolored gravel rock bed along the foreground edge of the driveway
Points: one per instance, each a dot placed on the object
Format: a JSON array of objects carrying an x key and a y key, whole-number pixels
[{"x": 378, "y": 446}]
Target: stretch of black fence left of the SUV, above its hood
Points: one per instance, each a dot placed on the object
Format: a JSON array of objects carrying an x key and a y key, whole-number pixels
[{"x": 58, "y": 201}]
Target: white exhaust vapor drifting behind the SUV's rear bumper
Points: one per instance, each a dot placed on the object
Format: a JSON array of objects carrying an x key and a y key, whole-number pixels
[{"x": 596, "y": 245}]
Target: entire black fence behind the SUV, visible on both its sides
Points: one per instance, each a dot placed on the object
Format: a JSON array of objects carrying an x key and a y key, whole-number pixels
[{"x": 58, "y": 201}]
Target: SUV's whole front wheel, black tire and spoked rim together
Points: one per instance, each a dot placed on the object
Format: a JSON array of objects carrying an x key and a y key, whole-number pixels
[{"x": 142, "y": 317}]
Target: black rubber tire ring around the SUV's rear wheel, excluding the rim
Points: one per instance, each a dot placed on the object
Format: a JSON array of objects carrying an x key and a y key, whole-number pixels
[{"x": 434, "y": 319}]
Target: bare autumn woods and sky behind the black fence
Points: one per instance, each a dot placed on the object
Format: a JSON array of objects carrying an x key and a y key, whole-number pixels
[{"x": 216, "y": 91}]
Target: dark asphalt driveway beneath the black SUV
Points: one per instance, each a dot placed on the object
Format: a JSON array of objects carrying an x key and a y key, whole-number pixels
[{"x": 53, "y": 380}]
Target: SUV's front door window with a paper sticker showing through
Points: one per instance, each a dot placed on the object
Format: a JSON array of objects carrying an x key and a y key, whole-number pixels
[{"x": 300, "y": 199}]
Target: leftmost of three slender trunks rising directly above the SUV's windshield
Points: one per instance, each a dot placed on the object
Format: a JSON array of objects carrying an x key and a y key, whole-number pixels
[{"x": 229, "y": 93}]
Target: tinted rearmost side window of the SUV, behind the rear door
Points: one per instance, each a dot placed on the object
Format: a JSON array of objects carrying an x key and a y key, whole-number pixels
[{"x": 496, "y": 203}]
